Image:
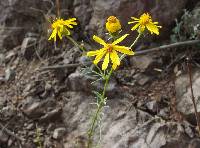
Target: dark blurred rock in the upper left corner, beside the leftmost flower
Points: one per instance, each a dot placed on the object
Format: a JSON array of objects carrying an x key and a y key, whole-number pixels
[{"x": 18, "y": 21}]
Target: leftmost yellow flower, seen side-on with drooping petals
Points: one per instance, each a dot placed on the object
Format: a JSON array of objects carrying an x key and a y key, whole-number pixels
[{"x": 60, "y": 28}]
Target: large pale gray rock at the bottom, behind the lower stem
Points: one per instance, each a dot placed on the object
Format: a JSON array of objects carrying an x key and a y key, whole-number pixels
[{"x": 121, "y": 128}]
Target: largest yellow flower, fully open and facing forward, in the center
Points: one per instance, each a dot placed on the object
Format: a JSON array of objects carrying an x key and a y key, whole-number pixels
[{"x": 110, "y": 52}]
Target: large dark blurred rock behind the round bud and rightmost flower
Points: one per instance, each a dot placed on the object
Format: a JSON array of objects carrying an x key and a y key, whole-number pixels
[{"x": 103, "y": 8}]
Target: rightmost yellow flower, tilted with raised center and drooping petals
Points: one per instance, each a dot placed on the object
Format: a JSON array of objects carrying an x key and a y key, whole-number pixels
[{"x": 145, "y": 21}]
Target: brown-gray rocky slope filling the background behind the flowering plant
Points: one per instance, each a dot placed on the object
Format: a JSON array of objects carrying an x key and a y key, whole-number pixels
[{"x": 43, "y": 104}]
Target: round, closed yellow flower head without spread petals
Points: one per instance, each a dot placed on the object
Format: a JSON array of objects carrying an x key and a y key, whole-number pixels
[{"x": 113, "y": 24}]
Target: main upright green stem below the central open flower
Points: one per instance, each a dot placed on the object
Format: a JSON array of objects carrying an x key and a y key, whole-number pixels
[{"x": 97, "y": 113}]
